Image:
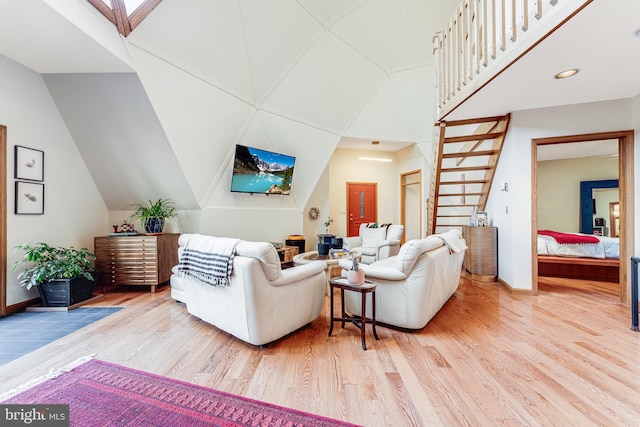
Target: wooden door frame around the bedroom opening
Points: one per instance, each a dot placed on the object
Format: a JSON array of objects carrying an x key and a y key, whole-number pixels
[{"x": 626, "y": 202}]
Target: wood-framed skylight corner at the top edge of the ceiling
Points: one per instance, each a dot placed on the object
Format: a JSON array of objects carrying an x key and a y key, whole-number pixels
[{"x": 126, "y": 15}]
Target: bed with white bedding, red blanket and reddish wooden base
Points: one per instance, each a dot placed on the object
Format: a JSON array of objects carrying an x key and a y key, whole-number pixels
[{"x": 598, "y": 259}]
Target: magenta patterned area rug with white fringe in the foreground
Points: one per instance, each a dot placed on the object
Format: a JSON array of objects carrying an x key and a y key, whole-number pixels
[{"x": 100, "y": 393}]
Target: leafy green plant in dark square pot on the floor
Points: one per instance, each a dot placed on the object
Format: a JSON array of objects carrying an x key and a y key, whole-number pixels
[{"x": 63, "y": 276}]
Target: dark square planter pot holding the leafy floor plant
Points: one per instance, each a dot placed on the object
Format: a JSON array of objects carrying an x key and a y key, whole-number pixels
[{"x": 66, "y": 292}]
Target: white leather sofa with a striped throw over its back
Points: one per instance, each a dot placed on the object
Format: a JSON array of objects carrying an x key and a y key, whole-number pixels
[{"x": 261, "y": 302}]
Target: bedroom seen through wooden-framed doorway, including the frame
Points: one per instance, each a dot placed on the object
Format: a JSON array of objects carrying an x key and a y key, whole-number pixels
[{"x": 570, "y": 160}]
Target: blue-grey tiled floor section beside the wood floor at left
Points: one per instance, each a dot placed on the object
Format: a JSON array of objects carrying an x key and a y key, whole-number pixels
[{"x": 21, "y": 333}]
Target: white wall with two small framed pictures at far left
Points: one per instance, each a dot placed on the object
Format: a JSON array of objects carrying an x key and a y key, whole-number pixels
[{"x": 74, "y": 211}]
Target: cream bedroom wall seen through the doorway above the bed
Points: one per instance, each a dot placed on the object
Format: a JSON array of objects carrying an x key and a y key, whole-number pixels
[{"x": 559, "y": 190}]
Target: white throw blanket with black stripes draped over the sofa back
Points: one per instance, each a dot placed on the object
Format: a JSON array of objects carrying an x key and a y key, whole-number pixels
[{"x": 208, "y": 259}]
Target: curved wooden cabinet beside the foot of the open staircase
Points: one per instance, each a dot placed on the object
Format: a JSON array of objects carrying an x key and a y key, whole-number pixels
[{"x": 481, "y": 257}]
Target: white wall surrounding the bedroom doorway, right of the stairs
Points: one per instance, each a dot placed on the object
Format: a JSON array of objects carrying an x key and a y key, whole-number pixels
[{"x": 514, "y": 227}]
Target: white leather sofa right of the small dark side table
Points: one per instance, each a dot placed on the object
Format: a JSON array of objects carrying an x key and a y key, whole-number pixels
[{"x": 415, "y": 284}]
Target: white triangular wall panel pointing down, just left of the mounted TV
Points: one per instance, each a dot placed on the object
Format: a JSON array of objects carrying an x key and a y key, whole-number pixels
[{"x": 200, "y": 120}]
